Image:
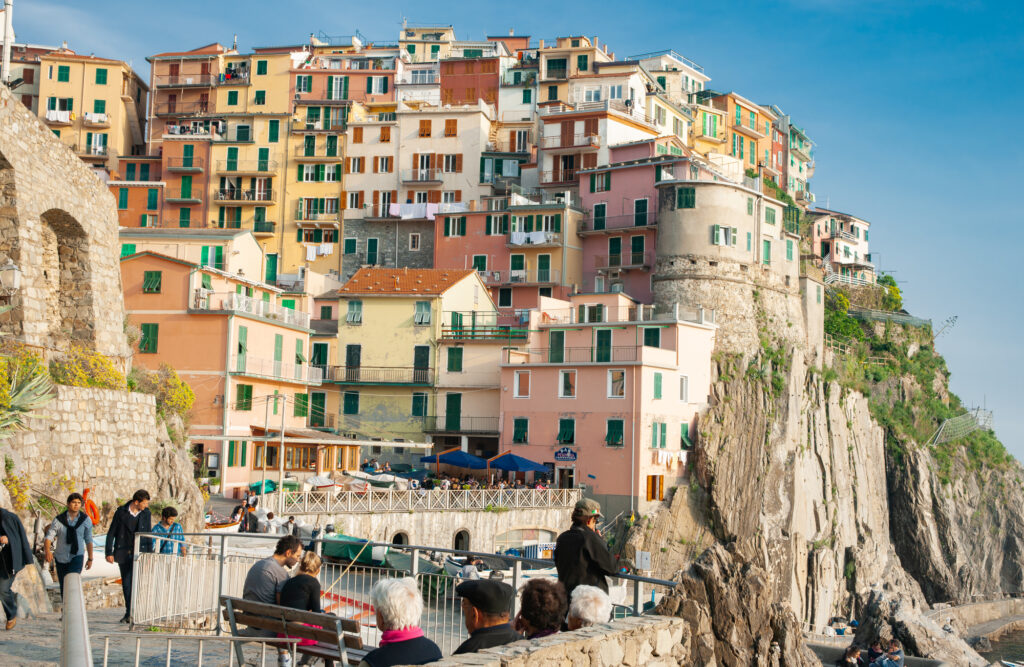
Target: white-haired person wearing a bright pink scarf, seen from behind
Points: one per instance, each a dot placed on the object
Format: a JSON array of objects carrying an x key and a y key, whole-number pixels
[{"x": 399, "y": 606}]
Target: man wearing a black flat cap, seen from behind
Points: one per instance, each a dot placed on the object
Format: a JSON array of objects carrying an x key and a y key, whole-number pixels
[{"x": 486, "y": 608}]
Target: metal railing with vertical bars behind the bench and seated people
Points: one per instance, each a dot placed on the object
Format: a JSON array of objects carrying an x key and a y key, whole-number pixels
[{"x": 184, "y": 593}]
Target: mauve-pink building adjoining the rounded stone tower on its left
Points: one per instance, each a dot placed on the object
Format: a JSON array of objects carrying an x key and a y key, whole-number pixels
[{"x": 620, "y": 231}]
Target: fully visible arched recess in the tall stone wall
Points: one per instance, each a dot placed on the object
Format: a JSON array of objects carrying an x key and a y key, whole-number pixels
[{"x": 66, "y": 274}]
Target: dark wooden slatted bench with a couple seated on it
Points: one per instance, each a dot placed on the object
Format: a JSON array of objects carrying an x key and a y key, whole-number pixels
[{"x": 337, "y": 639}]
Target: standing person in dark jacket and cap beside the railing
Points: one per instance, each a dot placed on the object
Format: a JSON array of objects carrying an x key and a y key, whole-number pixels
[{"x": 581, "y": 555}]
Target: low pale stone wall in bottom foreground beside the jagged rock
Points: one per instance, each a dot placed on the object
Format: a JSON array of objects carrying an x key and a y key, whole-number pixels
[{"x": 647, "y": 641}]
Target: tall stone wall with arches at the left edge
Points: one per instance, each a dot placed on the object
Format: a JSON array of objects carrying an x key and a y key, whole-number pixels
[{"x": 59, "y": 225}]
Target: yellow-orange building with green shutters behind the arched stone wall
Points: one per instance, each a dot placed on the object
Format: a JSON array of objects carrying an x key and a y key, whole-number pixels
[{"x": 96, "y": 106}]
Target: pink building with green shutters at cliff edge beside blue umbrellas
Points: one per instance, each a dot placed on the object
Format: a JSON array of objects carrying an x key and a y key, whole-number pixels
[{"x": 608, "y": 393}]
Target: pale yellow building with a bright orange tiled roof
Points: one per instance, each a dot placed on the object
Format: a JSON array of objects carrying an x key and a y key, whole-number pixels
[{"x": 395, "y": 343}]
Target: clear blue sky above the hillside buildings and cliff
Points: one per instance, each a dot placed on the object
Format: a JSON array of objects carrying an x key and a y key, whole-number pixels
[{"x": 914, "y": 107}]
